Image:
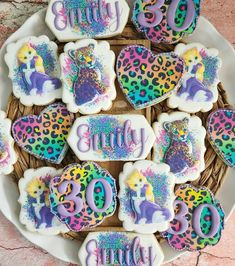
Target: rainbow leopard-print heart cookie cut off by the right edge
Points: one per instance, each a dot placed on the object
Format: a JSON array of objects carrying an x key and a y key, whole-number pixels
[{"x": 221, "y": 130}]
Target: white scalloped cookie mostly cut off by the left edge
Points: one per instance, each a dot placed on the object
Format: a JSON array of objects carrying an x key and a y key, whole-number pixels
[{"x": 8, "y": 156}]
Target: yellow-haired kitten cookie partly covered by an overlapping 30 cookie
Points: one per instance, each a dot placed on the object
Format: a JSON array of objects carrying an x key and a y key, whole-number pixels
[{"x": 35, "y": 211}]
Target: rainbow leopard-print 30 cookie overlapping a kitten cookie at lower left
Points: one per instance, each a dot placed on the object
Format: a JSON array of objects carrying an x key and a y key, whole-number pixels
[{"x": 83, "y": 196}]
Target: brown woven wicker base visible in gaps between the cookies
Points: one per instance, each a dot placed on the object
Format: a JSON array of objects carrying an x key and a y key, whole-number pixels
[{"x": 212, "y": 177}]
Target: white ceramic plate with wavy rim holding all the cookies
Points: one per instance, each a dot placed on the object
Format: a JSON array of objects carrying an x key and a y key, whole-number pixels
[{"x": 65, "y": 249}]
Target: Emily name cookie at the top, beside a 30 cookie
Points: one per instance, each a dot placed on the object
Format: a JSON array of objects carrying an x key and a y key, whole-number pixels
[{"x": 72, "y": 20}]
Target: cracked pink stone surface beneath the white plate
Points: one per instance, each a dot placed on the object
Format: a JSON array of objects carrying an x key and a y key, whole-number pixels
[{"x": 15, "y": 249}]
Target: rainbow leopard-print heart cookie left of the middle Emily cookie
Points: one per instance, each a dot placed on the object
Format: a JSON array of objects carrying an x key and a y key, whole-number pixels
[{"x": 44, "y": 136}]
